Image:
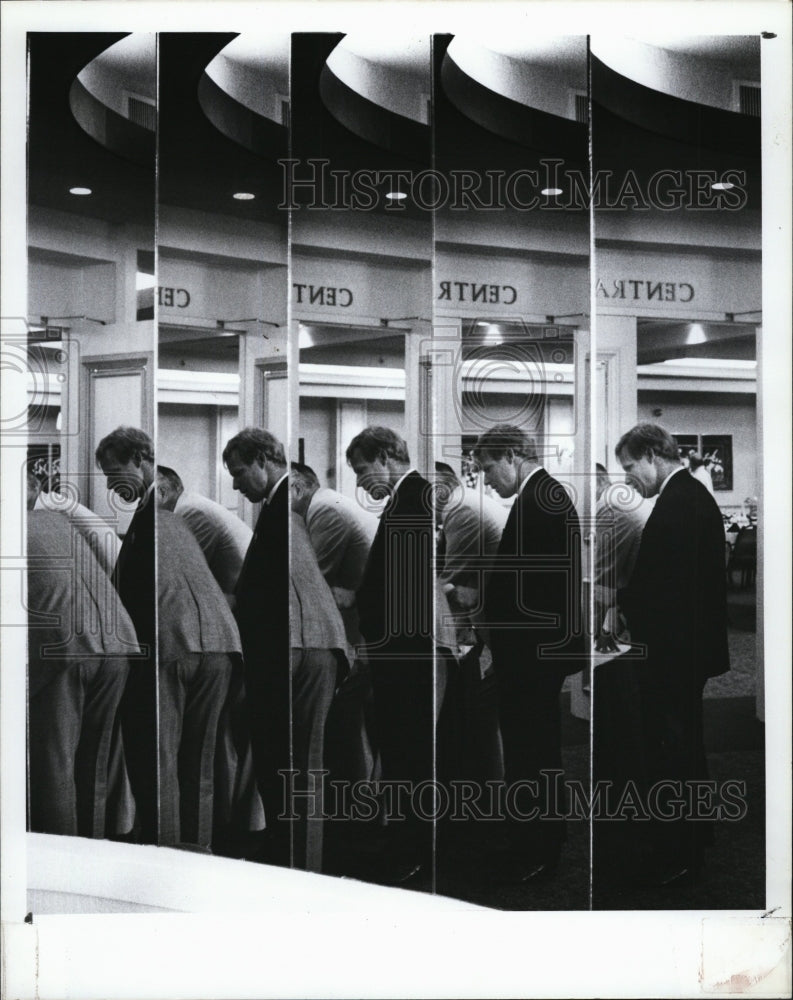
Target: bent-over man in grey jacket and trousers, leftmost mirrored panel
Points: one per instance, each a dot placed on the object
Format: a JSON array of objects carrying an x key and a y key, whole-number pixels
[{"x": 79, "y": 640}]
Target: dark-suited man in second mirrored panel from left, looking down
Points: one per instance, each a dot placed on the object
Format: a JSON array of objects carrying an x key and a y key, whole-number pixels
[{"x": 257, "y": 464}]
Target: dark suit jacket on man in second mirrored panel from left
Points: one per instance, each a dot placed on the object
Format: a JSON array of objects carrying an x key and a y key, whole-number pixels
[{"x": 262, "y": 590}]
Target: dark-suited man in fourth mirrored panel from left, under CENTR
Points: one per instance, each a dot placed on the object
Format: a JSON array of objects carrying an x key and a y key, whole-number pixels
[{"x": 533, "y": 614}]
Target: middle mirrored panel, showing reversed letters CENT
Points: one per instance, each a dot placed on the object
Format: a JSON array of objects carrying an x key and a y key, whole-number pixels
[{"x": 362, "y": 528}]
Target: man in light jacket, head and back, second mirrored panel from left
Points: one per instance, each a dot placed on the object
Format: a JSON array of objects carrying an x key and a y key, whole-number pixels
[{"x": 223, "y": 537}]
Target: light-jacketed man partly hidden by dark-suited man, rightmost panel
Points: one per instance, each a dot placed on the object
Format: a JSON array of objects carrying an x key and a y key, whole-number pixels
[{"x": 620, "y": 516}]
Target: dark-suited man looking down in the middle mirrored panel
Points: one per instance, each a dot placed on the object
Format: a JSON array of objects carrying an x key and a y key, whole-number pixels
[{"x": 395, "y": 605}]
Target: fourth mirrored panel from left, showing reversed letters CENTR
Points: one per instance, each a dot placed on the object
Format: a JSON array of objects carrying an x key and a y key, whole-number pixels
[{"x": 512, "y": 384}]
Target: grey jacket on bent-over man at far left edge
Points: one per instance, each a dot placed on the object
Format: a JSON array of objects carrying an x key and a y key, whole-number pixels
[{"x": 74, "y": 613}]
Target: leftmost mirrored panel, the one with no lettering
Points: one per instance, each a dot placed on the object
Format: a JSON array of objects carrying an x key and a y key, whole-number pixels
[{"x": 92, "y": 764}]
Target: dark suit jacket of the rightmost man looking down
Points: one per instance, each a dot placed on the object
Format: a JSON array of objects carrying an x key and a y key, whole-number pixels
[{"x": 676, "y": 601}]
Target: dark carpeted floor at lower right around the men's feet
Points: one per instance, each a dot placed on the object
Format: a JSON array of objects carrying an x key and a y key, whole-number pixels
[{"x": 734, "y": 873}]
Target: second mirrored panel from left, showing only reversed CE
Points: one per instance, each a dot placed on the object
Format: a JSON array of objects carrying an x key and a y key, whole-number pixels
[{"x": 222, "y": 529}]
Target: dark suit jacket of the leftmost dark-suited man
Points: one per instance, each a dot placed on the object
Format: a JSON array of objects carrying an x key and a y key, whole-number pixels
[{"x": 134, "y": 577}]
